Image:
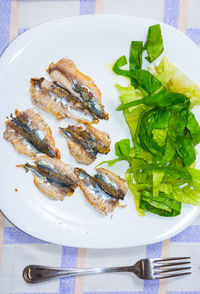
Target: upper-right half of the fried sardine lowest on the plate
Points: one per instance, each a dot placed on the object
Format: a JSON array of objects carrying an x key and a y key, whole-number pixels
[{"x": 111, "y": 183}]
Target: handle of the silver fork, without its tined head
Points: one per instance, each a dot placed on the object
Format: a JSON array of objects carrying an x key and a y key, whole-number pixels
[{"x": 35, "y": 273}]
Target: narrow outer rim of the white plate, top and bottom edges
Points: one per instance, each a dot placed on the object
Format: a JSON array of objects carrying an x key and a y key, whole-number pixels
[{"x": 7, "y": 51}]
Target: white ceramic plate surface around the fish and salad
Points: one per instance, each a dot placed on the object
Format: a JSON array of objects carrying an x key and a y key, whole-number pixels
[{"x": 93, "y": 43}]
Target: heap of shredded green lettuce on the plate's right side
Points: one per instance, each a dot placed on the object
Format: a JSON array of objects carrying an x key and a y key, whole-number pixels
[{"x": 157, "y": 108}]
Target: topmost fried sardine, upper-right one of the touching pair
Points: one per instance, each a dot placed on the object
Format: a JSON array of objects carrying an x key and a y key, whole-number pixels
[{"x": 66, "y": 72}]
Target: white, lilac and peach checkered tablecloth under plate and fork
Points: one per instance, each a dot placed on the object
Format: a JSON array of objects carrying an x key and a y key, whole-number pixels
[{"x": 18, "y": 249}]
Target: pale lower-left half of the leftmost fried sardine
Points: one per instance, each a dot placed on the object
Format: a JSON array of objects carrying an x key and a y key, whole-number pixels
[{"x": 20, "y": 144}]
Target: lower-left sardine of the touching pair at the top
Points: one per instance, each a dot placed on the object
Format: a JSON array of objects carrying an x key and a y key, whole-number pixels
[{"x": 52, "y": 97}]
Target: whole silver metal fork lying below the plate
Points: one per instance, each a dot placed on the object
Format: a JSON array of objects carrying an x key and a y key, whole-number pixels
[{"x": 146, "y": 269}]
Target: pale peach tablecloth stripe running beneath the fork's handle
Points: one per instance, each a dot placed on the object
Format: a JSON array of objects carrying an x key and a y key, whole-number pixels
[{"x": 79, "y": 282}]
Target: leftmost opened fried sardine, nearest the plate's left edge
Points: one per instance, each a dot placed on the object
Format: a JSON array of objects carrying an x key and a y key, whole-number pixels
[{"x": 30, "y": 134}]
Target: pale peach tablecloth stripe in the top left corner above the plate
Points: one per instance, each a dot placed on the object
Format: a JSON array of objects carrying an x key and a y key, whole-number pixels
[{"x": 14, "y": 19}]
